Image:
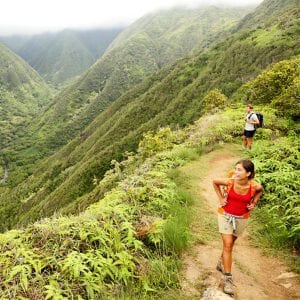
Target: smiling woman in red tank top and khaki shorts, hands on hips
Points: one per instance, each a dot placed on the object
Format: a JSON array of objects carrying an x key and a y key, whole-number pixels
[{"x": 240, "y": 197}]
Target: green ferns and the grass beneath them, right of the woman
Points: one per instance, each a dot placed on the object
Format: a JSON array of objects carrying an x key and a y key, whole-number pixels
[{"x": 278, "y": 167}]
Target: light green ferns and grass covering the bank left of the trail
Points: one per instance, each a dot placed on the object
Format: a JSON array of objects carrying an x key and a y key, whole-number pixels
[{"x": 97, "y": 254}]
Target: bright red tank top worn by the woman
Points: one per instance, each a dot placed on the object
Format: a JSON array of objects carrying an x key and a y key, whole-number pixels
[{"x": 237, "y": 203}]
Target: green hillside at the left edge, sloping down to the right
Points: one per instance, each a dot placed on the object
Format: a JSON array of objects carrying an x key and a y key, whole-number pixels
[{"x": 23, "y": 94}]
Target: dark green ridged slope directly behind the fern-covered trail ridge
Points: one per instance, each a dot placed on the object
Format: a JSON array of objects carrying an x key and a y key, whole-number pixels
[{"x": 173, "y": 96}]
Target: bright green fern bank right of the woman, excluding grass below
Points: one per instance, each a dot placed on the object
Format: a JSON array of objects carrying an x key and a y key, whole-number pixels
[{"x": 279, "y": 172}]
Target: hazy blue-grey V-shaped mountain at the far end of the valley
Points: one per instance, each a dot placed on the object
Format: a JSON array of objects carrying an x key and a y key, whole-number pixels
[{"x": 58, "y": 57}]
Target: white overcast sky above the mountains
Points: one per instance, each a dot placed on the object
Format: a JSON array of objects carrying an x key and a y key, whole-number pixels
[{"x": 34, "y": 16}]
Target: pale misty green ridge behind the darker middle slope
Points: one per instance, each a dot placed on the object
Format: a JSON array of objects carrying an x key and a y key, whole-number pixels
[{"x": 137, "y": 53}]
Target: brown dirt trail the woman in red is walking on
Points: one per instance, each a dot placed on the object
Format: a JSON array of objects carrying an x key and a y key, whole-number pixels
[{"x": 255, "y": 276}]
